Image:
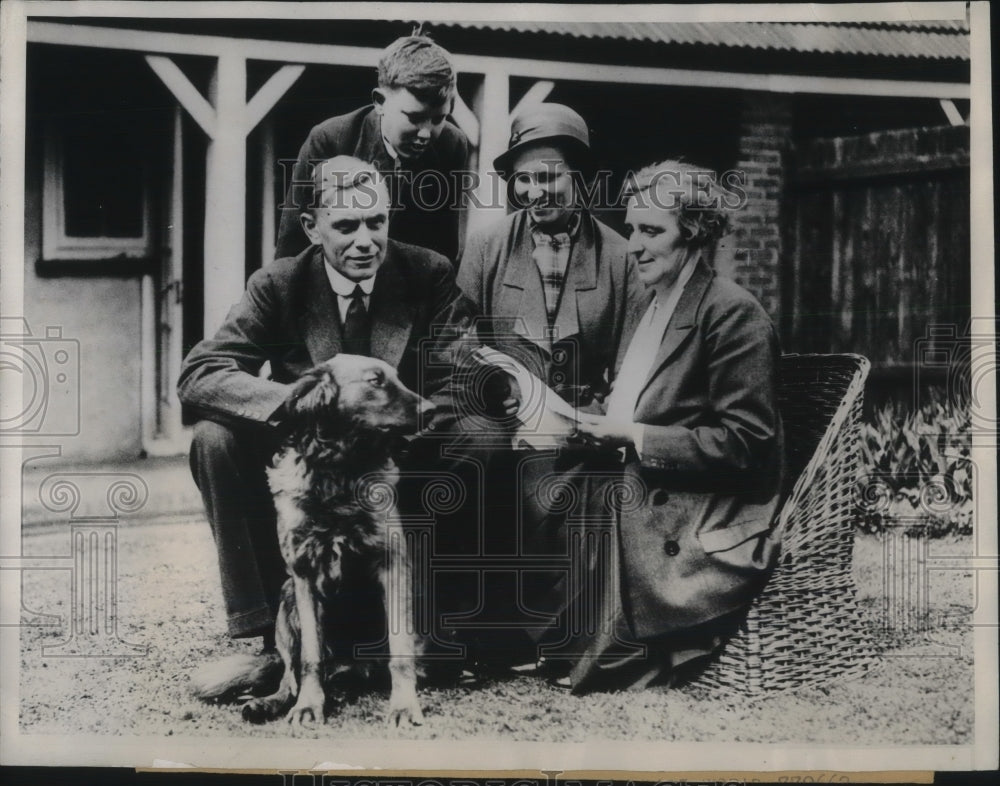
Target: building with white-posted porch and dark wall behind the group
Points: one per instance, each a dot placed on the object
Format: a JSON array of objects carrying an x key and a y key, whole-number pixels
[{"x": 157, "y": 151}]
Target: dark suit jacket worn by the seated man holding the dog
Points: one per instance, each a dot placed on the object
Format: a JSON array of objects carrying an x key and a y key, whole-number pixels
[{"x": 288, "y": 316}]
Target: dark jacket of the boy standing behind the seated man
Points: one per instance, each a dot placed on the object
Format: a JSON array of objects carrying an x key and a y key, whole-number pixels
[{"x": 359, "y": 134}]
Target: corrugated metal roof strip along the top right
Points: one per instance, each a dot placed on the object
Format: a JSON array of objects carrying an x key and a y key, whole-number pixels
[{"x": 947, "y": 39}]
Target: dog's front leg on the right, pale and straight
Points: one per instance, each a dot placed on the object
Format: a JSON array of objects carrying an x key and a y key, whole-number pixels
[{"x": 397, "y": 592}]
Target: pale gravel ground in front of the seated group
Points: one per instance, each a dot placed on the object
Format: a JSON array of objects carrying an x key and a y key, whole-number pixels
[{"x": 169, "y": 599}]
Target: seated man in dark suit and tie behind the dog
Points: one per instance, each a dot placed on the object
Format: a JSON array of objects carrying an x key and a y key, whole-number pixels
[{"x": 352, "y": 290}]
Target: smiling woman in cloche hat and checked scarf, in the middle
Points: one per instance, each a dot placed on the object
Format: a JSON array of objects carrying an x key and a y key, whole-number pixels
[{"x": 561, "y": 295}]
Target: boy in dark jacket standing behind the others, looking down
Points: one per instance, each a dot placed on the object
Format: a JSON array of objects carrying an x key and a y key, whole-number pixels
[{"x": 406, "y": 134}]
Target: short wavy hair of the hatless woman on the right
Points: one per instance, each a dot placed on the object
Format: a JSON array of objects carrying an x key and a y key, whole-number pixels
[{"x": 693, "y": 191}]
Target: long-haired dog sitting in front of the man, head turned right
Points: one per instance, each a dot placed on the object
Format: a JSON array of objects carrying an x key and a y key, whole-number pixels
[{"x": 347, "y": 560}]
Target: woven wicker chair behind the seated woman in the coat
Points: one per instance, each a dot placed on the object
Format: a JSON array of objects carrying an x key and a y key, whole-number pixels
[{"x": 805, "y": 628}]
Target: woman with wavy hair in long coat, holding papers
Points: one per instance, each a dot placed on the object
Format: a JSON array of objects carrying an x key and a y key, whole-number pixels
[{"x": 694, "y": 419}]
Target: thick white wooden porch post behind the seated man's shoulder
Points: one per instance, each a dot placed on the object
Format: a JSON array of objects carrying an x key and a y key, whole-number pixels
[{"x": 225, "y": 192}]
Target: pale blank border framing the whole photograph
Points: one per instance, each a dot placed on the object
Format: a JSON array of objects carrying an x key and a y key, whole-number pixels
[{"x": 610, "y": 758}]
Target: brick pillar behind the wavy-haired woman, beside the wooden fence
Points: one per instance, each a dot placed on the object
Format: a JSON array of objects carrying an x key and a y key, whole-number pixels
[{"x": 753, "y": 258}]
